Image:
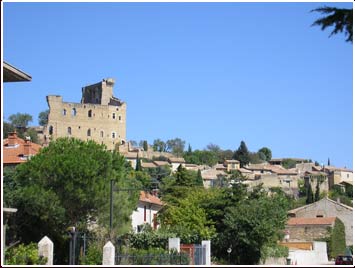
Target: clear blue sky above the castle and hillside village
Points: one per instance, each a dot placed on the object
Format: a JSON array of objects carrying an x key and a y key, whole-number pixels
[{"x": 204, "y": 72}]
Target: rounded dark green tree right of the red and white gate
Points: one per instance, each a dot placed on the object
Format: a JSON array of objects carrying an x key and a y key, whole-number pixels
[{"x": 249, "y": 226}]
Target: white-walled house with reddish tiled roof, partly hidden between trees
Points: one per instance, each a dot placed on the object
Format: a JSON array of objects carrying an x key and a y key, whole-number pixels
[{"x": 146, "y": 212}]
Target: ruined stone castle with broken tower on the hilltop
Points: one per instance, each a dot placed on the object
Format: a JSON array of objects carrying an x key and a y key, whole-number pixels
[{"x": 99, "y": 116}]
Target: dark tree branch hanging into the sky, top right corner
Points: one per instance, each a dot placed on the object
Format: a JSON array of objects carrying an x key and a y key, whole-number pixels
[{"x": 340, "y": 18}]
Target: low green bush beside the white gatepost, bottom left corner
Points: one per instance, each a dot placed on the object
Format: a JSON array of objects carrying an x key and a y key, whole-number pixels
[{"x": 24, "y": 255}]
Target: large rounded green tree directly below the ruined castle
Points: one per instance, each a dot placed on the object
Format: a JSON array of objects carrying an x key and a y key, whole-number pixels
[{"x": 73, "y": 176}]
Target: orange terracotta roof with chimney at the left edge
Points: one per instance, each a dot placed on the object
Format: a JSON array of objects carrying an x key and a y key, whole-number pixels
[{"x": 16, "y": 149}]
